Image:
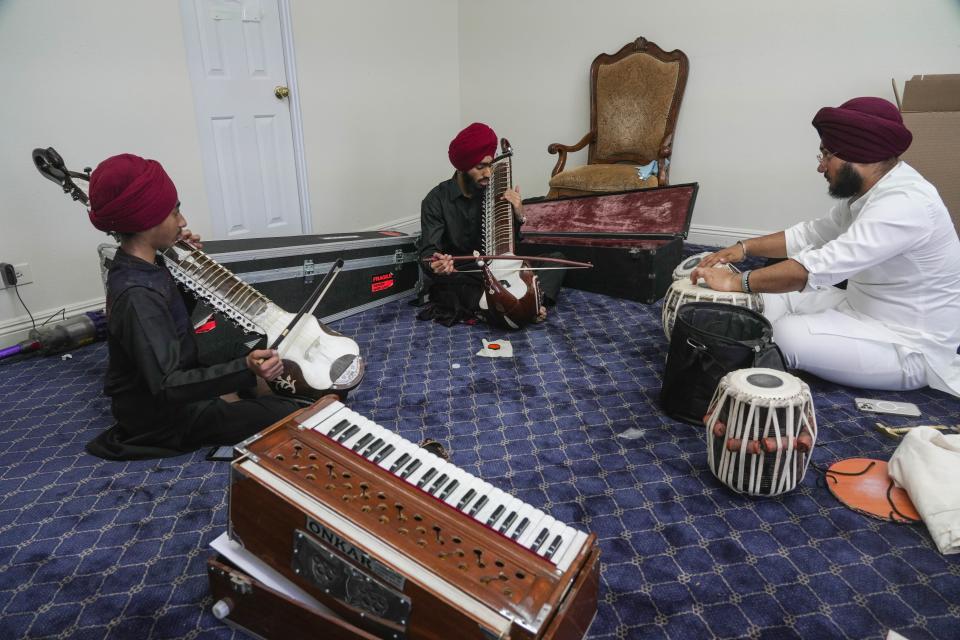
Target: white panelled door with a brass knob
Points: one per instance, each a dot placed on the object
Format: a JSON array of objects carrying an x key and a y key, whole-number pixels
[{"x": 235, "y": 51}]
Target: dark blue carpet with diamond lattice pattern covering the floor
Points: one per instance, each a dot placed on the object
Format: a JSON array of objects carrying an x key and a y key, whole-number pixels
[{"x": 93, "y": 549}]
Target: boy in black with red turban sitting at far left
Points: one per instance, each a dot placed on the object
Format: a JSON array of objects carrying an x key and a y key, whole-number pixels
[{"x": 164, "y": 400}]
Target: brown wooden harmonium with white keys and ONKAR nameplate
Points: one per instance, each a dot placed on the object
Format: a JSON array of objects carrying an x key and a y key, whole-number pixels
[{"x": 400, "y": 543}]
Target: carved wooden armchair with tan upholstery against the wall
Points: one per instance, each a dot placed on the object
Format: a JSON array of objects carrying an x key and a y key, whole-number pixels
[{"x": 635, "y": 97}]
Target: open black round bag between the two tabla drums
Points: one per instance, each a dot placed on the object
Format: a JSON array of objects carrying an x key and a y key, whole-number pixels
[{"x": 710, "y": 340}]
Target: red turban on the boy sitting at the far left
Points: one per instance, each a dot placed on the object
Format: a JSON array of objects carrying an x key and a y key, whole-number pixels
[{"x": 130, "y": 194}]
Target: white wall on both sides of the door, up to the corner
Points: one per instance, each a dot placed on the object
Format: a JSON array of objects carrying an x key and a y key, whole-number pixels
[{"x": 379, "y": 93}]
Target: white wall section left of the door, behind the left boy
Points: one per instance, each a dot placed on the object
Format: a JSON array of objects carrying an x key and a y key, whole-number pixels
[{"x": 91, "y": 79}]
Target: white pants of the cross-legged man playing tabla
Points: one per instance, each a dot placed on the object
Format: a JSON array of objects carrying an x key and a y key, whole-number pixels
[{"x": 840, "y": 357}]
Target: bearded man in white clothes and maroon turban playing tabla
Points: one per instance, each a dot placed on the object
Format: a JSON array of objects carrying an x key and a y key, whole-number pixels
[{"x": 897, "y": 324}]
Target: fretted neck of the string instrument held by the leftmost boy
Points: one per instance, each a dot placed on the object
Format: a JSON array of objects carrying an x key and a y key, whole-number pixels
[{"x": 217, "y": 285}]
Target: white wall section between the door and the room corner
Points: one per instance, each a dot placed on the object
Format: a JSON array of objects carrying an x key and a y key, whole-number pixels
[{"x": 380, "y": 94}]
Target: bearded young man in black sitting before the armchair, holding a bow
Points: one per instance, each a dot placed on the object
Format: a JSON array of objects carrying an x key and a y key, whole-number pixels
[{"x": 450, "y": 224}]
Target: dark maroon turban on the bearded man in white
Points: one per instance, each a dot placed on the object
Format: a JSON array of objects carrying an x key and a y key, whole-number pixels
[{"x": 863, "y": 130}]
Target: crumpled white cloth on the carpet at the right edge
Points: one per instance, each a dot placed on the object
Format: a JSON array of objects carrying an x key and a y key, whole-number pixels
[{"x": 927, "y": 466}]
